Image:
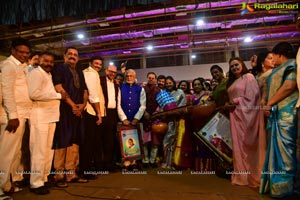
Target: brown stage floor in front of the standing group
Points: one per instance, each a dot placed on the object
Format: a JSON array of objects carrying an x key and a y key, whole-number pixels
[{"x": 151, "y": 186}]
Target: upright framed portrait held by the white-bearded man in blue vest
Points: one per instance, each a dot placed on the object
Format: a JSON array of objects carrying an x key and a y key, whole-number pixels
[{"x": 130, "y": 142}]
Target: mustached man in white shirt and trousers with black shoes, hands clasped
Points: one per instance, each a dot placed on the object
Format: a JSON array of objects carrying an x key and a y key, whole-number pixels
[{"x": 43, "y": 118}]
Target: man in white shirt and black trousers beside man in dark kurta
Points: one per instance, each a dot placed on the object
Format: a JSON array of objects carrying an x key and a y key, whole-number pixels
[{"x": 90, "y": 151}]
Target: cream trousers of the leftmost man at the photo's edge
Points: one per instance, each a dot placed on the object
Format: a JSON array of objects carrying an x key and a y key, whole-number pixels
[{"x": 10, "y": 153}]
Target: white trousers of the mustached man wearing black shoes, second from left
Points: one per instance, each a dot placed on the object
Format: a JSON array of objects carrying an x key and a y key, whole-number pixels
[{"x": 41, "y": 139}]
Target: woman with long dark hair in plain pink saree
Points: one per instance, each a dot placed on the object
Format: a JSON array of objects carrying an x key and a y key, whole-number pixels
[{"x": 245, "y": 115}]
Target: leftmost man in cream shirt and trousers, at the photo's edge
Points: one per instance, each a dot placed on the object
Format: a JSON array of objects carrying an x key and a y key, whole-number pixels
[{"x": 17, "y": 105}]
